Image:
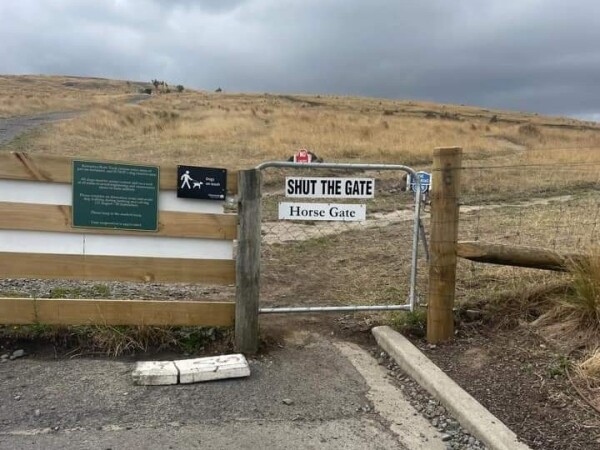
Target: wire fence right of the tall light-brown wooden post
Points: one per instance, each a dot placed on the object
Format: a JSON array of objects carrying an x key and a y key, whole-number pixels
[{"x": 548, "y": 198}]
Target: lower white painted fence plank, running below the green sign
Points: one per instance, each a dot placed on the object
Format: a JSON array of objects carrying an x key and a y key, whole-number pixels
[{"x": 113, "y": 245}]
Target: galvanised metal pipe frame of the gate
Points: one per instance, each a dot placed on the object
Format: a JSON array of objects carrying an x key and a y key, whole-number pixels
[{"x": 412, "y": 296}]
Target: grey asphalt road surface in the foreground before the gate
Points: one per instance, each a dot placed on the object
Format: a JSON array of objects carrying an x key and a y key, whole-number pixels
[{"x": 339, "y": 399}]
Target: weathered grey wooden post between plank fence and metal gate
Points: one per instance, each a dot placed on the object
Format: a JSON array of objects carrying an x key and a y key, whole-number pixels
[{"x": 248, "y": 262}]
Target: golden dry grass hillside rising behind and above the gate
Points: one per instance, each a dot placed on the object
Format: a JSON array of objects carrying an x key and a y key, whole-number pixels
[{"x": 238, "y": 130}]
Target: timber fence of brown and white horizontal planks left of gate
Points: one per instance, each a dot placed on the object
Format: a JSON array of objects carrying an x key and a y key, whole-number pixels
[{"x": 193, "y": 244}]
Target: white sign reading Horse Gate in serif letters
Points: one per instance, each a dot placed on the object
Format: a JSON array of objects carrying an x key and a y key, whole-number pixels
[{"x": 322, "y": 211}]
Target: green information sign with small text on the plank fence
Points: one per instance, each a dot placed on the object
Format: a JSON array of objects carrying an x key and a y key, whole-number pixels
[{"x": 118, "y": 196}]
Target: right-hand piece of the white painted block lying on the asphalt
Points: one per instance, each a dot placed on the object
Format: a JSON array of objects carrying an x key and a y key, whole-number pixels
[{"x": 212, "y": 368}]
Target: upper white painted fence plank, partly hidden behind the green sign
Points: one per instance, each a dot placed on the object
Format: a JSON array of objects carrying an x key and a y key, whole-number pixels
[{"x": 45, "y": 193}]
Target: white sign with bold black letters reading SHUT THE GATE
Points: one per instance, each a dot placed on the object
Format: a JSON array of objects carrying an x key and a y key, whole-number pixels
[{"x": 303, "y": 187}]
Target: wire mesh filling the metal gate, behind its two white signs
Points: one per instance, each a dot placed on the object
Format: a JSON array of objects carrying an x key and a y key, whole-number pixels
[{"x": 322, "y": 263}]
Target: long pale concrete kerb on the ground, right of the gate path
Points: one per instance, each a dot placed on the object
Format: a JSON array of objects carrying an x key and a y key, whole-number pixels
[{"x": 468, "y": 411}]
